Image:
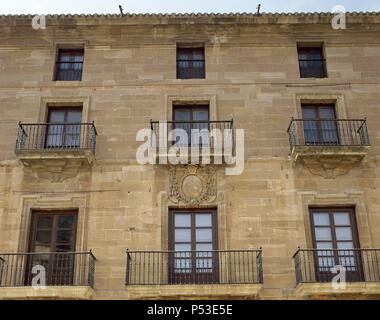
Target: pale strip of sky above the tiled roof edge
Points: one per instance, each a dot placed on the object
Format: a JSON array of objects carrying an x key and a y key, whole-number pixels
[{"x": 180, "y": 6}]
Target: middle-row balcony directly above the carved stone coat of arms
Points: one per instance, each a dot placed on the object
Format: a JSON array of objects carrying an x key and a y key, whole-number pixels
[{"x": 213, "y": 140}]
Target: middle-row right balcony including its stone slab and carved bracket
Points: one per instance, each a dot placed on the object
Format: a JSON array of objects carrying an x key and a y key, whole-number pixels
[{"x": 328, "y": 147}]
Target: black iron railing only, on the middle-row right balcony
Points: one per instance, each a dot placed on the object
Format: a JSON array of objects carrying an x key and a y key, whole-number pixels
[{"x": 328, "y": 132}]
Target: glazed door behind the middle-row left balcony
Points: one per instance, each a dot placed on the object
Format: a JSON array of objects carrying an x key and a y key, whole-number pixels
[{"x": 63, "y": 129}]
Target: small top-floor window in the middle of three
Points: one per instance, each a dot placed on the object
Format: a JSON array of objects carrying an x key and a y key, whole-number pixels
[{"x": 191, "y": 63}]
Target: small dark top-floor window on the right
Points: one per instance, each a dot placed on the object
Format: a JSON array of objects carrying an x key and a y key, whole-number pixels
[{"x": 312, "y": 62}]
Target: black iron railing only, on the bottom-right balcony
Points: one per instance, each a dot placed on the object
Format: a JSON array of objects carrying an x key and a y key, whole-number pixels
[{"x": 322, "y": 265}]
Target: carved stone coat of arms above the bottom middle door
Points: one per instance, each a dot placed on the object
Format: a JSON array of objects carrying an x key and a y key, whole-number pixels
[{"x": 192, "y": 185}]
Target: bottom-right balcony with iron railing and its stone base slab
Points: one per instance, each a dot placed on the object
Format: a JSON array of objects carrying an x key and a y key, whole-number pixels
[{"x": 315, "y": 275}]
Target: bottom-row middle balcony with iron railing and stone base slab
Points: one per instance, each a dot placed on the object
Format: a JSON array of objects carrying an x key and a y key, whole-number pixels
[{"x": 197, "y": 274}]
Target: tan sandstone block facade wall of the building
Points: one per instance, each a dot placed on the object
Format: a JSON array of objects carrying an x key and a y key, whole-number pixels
[{"x": 129, "y": 78}]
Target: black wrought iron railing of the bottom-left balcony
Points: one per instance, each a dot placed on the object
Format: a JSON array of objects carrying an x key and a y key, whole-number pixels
[{"x": 56, "y": 268}]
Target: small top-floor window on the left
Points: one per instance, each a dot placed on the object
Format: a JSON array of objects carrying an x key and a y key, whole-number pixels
[{"x": 69, "y": 65}]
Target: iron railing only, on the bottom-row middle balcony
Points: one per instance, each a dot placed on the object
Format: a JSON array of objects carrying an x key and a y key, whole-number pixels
[{"x": 194, "y": 267}]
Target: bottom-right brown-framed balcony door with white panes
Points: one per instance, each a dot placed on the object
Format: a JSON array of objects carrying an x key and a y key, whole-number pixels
[{"x": 334, "y": 235}]
